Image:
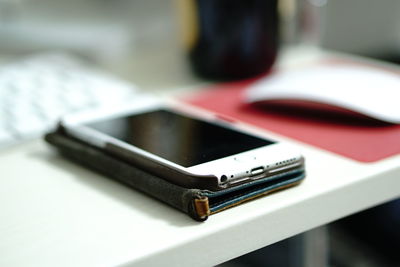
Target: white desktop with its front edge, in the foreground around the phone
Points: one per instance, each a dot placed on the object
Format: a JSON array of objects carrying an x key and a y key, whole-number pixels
[{"x": 55, "y": 213}]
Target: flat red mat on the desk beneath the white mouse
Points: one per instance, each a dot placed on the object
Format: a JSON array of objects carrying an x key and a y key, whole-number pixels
[{"x": 365, "y": 141}]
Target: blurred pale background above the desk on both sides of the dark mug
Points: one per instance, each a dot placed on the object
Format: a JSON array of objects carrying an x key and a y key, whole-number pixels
[{"x": 134, "y": 38}]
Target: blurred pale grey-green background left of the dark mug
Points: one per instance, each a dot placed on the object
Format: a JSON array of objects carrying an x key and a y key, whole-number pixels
[{"x": 128, "y": 37}]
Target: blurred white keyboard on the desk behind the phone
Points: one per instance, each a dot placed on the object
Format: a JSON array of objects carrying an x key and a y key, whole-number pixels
[{"x": 36, "y": 92}]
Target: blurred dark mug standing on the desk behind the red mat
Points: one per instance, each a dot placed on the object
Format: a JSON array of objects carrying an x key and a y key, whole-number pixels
[{"x": 231, "y": 39}]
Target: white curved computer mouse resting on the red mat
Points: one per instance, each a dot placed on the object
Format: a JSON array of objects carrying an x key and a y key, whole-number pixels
[{"x": 363, "y": 90}]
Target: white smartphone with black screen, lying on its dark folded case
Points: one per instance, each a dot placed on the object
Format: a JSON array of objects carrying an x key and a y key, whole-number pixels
[{"x": 191, "y": 149}]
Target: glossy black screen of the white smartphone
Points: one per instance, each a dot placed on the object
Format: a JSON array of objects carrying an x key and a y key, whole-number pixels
[{"x": 183, "y": 140}]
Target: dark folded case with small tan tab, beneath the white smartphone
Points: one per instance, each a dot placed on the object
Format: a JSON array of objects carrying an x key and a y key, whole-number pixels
[{"x": 197, "y": 203}]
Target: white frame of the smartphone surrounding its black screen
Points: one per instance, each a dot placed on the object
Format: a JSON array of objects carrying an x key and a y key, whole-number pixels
[{"x": 213, "y": 175}]
